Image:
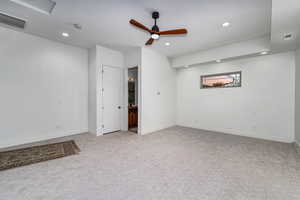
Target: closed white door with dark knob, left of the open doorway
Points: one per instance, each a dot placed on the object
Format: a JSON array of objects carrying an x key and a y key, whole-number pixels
[{"x": 111, "y": 99}]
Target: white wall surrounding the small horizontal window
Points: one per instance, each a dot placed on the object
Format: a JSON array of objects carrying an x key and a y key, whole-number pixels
[{"x": 263, "y": 107}]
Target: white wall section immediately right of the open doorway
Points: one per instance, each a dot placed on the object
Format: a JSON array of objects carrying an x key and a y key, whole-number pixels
[{"x": 157, "y": 76}]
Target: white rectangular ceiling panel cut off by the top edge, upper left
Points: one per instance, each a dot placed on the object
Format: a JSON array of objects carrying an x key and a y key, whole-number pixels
[{"x": 43, "y": 6}]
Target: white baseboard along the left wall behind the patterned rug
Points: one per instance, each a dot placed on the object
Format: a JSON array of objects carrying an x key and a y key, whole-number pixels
[{"x": 37, "y": 138}]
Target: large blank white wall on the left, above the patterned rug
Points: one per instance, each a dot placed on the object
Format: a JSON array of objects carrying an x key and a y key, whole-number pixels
[{"x": 43, "y": 87}]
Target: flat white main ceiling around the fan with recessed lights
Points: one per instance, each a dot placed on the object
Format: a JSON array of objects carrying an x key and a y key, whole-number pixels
[{"x": 105, "y": 22}]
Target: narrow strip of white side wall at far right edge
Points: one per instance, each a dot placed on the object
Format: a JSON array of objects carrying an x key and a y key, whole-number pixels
[{"x": 297, "y": 101}]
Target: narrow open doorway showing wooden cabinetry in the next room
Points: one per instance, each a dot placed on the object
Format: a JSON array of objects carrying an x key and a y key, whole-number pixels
[{"x": 133, "y": 99}]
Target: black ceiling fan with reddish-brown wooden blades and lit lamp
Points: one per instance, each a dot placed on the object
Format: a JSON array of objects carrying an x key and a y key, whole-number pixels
[{"x": 154, "y": 32}]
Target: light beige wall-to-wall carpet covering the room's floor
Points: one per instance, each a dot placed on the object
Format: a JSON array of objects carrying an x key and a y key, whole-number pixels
[{"x": 173, "y": 164}]
